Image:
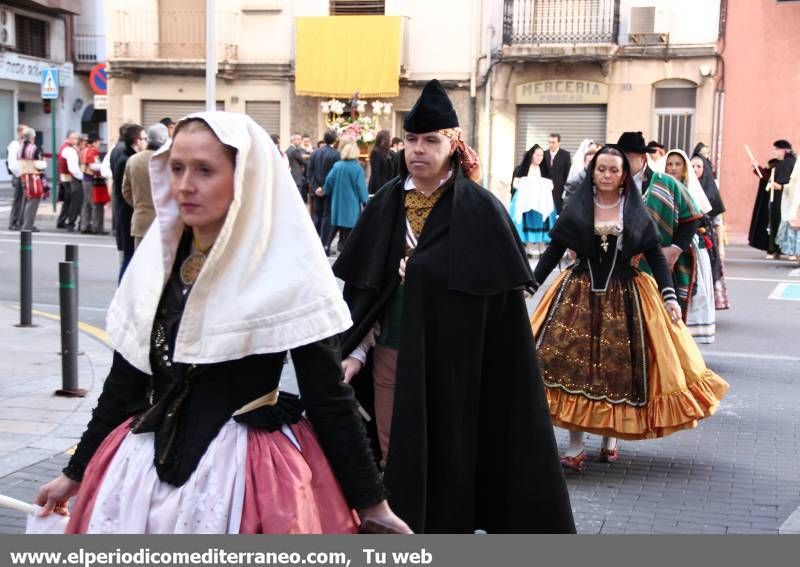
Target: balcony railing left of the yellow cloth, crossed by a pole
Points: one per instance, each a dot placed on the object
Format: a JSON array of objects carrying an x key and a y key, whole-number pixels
[{"x": 162, "y": 34}]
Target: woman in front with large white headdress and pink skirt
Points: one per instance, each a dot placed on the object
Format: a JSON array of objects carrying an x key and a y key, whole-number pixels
[{"x": 190, "y": 434}]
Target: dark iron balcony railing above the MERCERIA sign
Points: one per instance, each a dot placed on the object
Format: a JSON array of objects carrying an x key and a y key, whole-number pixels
[{"x": 560, "y": 21}]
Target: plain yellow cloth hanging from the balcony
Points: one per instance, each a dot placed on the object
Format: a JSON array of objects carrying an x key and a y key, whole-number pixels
[{"x": 340, "y": 55}]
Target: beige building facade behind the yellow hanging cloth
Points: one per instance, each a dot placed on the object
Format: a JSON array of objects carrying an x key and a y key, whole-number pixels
[{"x": 157, "y": 66}]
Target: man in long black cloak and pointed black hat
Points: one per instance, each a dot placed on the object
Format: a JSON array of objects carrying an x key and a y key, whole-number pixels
[{"x": 434, "y": 277}]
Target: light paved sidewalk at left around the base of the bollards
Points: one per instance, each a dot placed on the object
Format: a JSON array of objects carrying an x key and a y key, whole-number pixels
[{"x": 37, "y": 427}]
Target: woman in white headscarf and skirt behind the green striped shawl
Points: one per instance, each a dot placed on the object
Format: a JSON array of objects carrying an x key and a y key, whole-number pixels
[{"x": 701, "y": 318}]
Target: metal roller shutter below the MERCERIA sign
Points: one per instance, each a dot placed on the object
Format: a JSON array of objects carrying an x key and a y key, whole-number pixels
[{"x": 573, "y": 121}]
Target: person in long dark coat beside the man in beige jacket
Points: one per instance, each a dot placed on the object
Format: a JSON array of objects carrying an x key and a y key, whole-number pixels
[{"x": 135, "y": 140}]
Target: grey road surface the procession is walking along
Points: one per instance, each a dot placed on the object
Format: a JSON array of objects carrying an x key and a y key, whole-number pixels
[{"x": 735, "y": 473}]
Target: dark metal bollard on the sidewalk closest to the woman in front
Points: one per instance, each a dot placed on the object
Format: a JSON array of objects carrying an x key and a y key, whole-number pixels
[{"x": 69, "y": 331}]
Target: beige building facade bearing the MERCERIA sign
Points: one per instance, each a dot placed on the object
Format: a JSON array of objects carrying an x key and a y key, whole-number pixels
[{"x": 594, "y": 70}]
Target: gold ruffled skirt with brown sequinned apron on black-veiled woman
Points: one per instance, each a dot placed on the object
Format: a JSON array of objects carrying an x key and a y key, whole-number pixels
[{"x": 614, "y": 364}]
